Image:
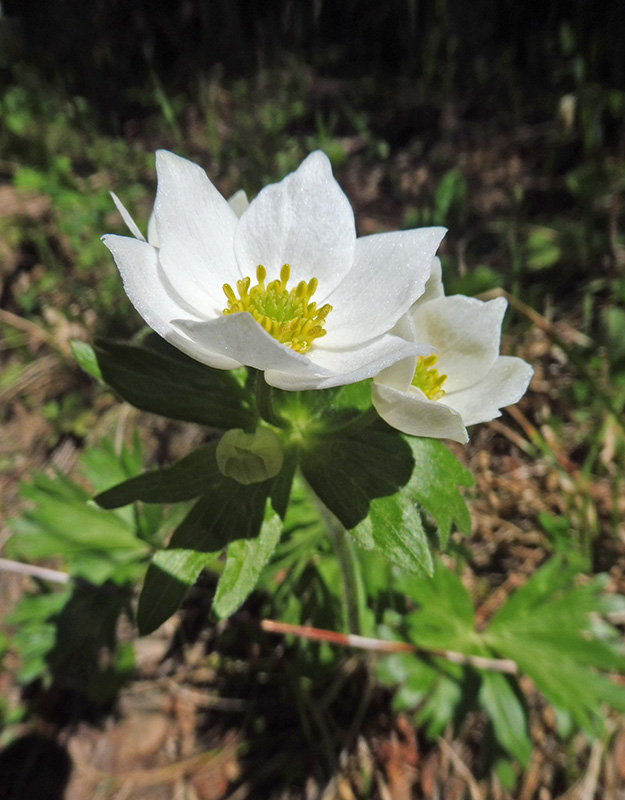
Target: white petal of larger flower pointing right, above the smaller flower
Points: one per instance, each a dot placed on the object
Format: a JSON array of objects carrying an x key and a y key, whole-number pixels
[{"x": 390, "y": 272}]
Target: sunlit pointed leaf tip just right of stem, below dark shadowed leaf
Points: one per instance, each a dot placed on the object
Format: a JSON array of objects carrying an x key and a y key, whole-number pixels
[{"x": 393, "y": 528}]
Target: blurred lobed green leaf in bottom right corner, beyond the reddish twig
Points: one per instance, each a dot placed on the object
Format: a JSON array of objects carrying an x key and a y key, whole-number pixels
[{"x": 549, "y": 628}]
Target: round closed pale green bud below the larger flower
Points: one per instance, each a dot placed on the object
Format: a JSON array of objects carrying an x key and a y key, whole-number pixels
[{"x": 249, "y": 457}]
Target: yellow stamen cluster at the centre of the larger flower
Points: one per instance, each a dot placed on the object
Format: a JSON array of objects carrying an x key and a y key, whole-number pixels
[{"x": 287, "y": 315}]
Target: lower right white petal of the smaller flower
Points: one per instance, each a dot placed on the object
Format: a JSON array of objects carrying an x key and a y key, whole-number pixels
[{"x": 504, "y": 384}]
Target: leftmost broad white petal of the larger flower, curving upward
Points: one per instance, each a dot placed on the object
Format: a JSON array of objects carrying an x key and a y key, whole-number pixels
[{"x": 154, "y": 298}]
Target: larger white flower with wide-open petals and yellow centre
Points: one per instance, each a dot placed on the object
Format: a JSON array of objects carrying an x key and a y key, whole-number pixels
[{"x": 190, "y": 280}]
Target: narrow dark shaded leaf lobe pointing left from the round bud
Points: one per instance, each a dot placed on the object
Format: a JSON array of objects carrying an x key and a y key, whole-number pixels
[{"x": 188, "y": 478}]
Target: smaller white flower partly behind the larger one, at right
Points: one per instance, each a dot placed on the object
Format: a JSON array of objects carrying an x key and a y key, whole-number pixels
[{"x": 464, "y": 381}]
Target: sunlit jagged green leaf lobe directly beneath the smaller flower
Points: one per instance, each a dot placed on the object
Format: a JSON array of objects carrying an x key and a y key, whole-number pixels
[{"x": 433, "y": 484}]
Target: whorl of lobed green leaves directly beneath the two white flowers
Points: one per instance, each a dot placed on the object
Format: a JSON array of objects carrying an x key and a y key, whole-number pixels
[{"x": 354, "y": 463}]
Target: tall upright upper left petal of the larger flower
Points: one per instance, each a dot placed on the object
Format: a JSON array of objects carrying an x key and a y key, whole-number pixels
[{"x": 195, "y": 228}]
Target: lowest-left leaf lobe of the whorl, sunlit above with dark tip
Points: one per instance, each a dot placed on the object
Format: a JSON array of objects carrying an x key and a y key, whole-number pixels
[{"x": 169, "y": 577}]
